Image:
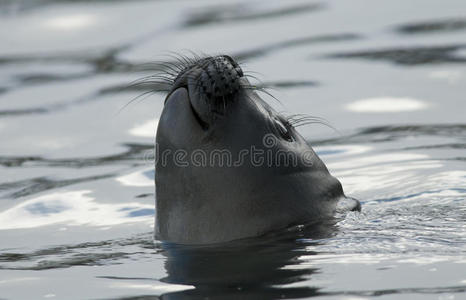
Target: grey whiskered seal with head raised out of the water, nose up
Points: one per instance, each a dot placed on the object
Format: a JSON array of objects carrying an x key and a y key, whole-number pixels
[{"x": 227, "y": 165}]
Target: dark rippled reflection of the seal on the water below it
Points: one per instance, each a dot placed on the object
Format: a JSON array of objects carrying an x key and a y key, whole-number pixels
[{"x": 249, "y": 269}]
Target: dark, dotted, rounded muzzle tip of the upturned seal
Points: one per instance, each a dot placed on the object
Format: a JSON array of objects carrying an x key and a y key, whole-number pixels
[{"x": 220, "y": 77}]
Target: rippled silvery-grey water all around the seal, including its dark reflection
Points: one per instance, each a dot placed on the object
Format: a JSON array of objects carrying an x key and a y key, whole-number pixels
[{"x": 76, "y": 180}]
